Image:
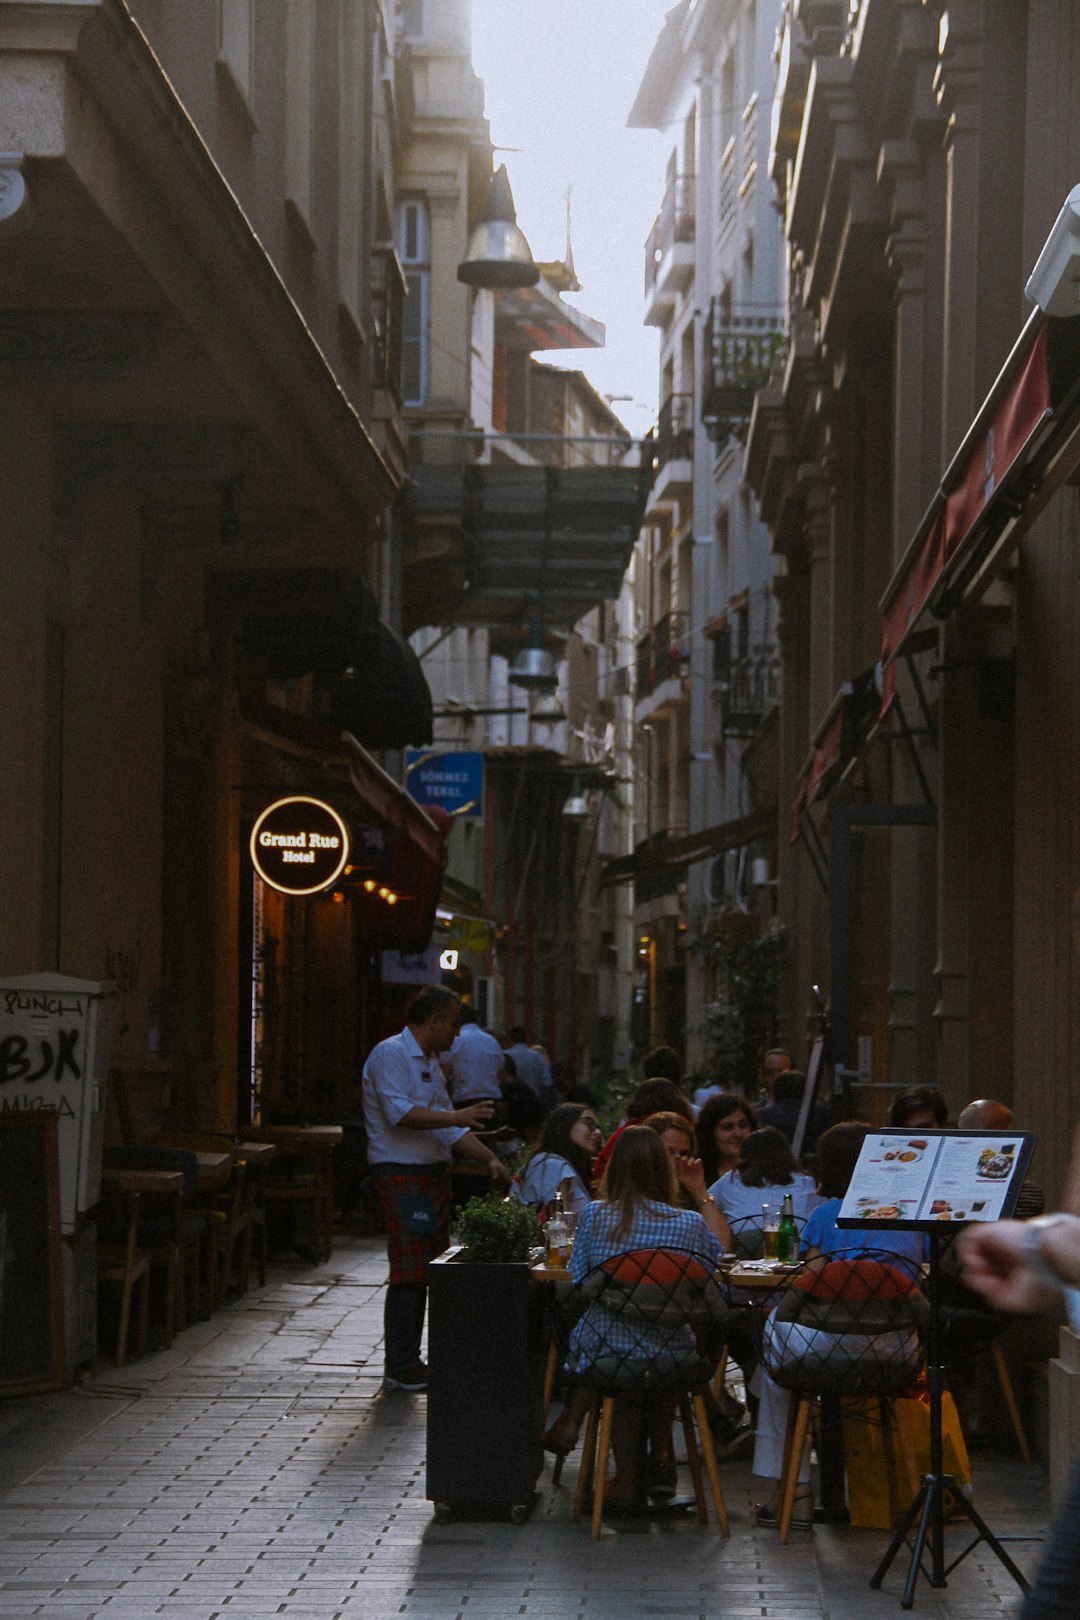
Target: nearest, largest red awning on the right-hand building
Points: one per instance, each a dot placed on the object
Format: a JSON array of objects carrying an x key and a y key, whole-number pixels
[{"x": 979, "y": 480}]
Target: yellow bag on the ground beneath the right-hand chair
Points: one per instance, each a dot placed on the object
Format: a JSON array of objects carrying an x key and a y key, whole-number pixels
[{"x": 865, "y": 1454}]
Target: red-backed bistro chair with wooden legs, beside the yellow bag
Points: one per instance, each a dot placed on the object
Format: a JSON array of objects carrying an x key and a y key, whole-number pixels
[{"x": 851, "y": 1329}]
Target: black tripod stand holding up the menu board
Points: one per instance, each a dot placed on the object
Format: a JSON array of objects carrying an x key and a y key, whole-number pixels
[{"x": 930, "y": 1504}]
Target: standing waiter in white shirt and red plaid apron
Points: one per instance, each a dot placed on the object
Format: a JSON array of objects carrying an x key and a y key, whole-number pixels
[{"x": 414, "y": 1130}]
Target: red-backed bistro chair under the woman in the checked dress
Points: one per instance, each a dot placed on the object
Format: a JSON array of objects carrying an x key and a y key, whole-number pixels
[{"x": 647, "y": 1318}]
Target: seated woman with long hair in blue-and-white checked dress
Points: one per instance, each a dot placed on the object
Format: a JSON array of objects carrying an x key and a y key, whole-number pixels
[{"x": 637, "y": 1211}]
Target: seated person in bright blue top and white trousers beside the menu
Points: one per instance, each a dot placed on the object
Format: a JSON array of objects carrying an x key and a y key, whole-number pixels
[{"x": 823, "y": 1242}]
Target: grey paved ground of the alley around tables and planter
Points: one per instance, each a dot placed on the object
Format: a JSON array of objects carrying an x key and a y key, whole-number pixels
[{"x": 257, "y": 1470}]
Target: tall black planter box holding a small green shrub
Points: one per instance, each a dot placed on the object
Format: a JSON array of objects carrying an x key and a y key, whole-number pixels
[{"x": 487, "y": 1342}]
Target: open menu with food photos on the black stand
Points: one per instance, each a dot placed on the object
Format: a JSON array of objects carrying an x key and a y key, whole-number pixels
[{"x": 929, "y": 1177}]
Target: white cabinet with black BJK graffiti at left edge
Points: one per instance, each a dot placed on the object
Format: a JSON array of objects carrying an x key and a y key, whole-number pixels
[{"x": 54, "y": 1054}]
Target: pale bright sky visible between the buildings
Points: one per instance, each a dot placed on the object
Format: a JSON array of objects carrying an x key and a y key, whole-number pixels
[{"x": 561, "y": 79}]
